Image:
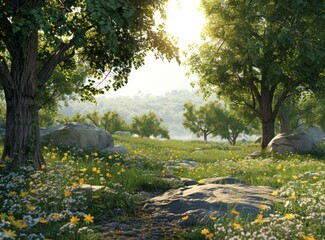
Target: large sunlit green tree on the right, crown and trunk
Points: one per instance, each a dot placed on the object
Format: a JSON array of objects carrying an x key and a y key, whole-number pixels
[{"x": 258, "y": 53}]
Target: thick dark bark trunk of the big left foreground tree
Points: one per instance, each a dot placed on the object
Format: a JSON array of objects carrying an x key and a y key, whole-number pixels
[{"x": 22, "y": 139}]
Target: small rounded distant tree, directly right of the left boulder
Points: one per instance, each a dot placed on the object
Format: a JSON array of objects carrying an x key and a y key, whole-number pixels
[{"x": 148, "y": 125}]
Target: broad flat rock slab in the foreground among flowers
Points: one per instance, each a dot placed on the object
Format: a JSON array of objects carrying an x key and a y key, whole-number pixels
[{"x": 199, "y": 202}]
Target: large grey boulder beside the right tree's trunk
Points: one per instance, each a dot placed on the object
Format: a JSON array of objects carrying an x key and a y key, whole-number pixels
[{"x": 297, "y": 141}]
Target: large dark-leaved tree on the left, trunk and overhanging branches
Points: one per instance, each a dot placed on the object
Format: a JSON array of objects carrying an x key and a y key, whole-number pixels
[{"x": 39, "y": 37}]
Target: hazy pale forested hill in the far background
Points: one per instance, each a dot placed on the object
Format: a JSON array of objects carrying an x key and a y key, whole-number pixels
[{"x": 168, "y": 106}]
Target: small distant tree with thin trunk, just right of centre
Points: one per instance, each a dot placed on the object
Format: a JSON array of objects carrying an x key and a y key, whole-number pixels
[{"x": 200, "y": 121}]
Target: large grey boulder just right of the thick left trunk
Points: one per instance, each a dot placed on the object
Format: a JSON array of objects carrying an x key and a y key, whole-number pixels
[{"x": 77, "y": 135}]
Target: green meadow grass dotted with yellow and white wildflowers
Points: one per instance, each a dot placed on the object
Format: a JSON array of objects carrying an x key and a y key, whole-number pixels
[{"x": 51, "y": 203}]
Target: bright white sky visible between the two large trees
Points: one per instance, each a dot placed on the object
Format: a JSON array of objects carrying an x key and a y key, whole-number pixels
[{"x": 157, "y": 77}]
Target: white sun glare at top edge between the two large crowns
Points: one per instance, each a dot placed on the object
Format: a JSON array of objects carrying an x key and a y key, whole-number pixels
[{"x": 184, "y": 21}]
